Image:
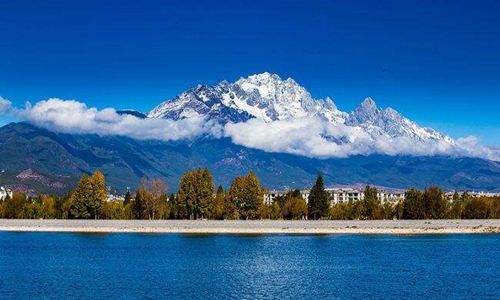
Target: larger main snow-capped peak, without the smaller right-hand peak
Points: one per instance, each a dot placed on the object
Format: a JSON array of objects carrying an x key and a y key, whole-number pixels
[{"x": 264, "y": 96}]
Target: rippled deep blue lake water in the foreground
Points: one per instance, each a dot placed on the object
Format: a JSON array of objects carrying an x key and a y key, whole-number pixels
[{"x": 142, "y": 266}]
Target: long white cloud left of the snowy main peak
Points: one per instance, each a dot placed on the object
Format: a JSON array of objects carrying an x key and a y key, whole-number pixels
[{"x": 69, "y": 116}]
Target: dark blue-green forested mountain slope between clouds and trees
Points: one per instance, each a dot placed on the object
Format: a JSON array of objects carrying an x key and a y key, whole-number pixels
[{"x": 124, "y": 161}]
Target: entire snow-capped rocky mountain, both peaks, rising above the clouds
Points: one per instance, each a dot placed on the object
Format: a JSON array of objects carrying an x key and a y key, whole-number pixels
[{"x": 269, "y": 98}]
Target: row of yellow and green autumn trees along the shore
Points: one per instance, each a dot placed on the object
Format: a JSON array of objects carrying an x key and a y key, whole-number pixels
[{"x": 197, "y": 198}]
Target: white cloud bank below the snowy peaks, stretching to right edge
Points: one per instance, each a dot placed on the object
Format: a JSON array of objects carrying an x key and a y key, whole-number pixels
[{"x": 313, "y": 137}]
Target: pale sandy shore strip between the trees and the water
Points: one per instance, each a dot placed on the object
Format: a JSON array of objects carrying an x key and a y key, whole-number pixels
[{"x": 257, "y": 227}]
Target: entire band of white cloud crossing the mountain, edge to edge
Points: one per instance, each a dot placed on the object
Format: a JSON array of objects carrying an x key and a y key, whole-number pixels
[{"x": 311, "y": 137}]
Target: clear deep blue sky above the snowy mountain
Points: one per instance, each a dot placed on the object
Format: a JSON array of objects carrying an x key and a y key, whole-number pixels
[{"x": 437, "y": 62}]
